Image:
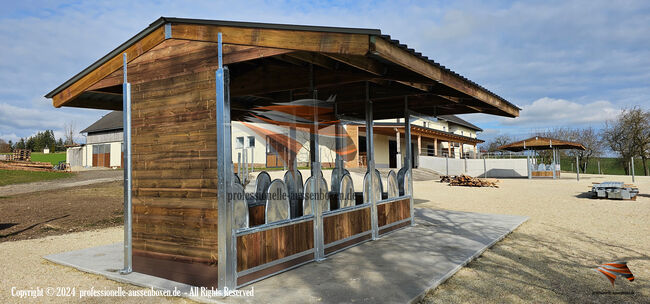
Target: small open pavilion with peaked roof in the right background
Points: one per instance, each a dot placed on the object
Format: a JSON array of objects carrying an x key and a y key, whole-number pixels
[{"x": 542, "y": 143}]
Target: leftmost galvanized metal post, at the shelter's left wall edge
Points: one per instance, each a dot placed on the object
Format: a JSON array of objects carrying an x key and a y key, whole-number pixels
[{"x": 128, "y": 182}]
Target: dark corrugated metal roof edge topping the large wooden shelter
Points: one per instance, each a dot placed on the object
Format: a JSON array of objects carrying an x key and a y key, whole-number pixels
[{"x": 162, "y": 20}]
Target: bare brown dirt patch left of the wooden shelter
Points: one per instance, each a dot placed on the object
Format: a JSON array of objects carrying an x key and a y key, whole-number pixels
[{"x": 44, "y": 213}]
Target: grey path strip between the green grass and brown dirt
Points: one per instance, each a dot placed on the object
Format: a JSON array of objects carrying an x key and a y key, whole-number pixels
[{"x": 80, "y": 179}]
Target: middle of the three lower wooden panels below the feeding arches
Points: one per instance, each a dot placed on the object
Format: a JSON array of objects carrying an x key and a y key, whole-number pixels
[{"x": 344, "y": 225}]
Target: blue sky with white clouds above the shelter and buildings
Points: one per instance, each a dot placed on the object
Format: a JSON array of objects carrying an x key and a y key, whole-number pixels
[{"x": 565, "y": 63}]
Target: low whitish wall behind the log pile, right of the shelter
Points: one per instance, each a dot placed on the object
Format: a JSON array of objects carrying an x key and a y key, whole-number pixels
[{"x": 515, "y": 167}]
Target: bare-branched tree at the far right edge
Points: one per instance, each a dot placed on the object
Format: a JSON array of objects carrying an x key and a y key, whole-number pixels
[{"x": 629, "y": 136}]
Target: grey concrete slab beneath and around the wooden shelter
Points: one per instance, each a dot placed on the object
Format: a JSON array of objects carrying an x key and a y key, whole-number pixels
[{"x": 398, "y": 268}]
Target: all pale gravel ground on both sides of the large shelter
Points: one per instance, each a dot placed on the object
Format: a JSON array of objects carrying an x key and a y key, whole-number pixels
[{"x": 549, "y": 259}]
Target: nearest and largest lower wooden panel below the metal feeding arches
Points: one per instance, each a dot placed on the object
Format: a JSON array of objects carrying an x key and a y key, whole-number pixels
[{"x": 262, "y": 247}]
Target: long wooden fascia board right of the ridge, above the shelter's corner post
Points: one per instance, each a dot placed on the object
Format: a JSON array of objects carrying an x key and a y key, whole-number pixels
[{"x": 339, "y": 43}]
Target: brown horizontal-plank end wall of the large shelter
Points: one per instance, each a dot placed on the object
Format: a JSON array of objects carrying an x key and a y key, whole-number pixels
[{"x": 175, "y": 174}]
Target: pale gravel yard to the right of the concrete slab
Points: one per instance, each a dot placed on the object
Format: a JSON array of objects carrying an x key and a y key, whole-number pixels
[{"x": 549, "y": 259}]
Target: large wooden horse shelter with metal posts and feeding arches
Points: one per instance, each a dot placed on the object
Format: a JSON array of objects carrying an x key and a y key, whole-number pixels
[{"x": 180, "y": 83}]
